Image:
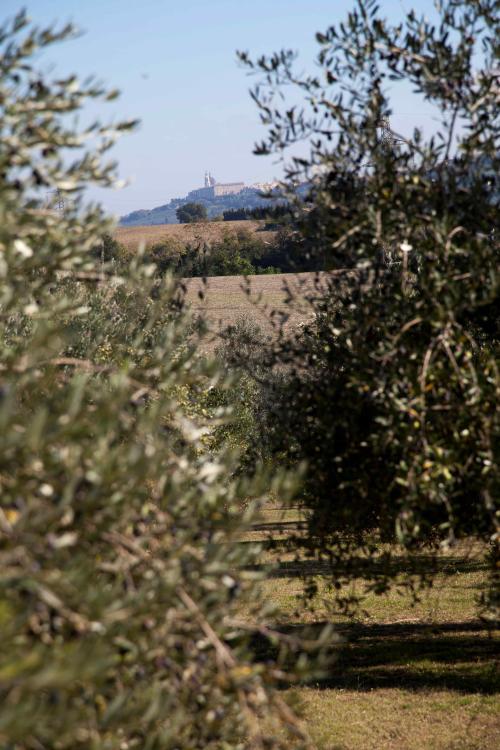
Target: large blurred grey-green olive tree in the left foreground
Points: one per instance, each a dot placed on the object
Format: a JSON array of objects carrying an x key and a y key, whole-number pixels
[{"x": 122, "y": 579}]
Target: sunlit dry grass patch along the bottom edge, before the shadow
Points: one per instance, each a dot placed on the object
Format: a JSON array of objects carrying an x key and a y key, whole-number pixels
[{"x": 396, "y": 718}]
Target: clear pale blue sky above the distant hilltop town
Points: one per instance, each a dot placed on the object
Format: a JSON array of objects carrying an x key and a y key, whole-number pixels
[{"x": 175, "y": 63}]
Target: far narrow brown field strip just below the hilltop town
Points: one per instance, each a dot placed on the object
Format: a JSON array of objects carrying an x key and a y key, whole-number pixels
[{"x": 186, "y": 234}]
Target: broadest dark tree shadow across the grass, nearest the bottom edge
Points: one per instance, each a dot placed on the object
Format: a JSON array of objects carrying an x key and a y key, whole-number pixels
[{"x": 450, "y": 656}]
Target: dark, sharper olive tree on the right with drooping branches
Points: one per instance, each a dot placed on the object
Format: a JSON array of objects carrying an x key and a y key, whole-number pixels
[{"x": 392, "y": 390}]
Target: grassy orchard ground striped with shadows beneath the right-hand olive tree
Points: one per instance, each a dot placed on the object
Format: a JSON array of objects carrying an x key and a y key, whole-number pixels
[{"x": 408, "y": 675}]
